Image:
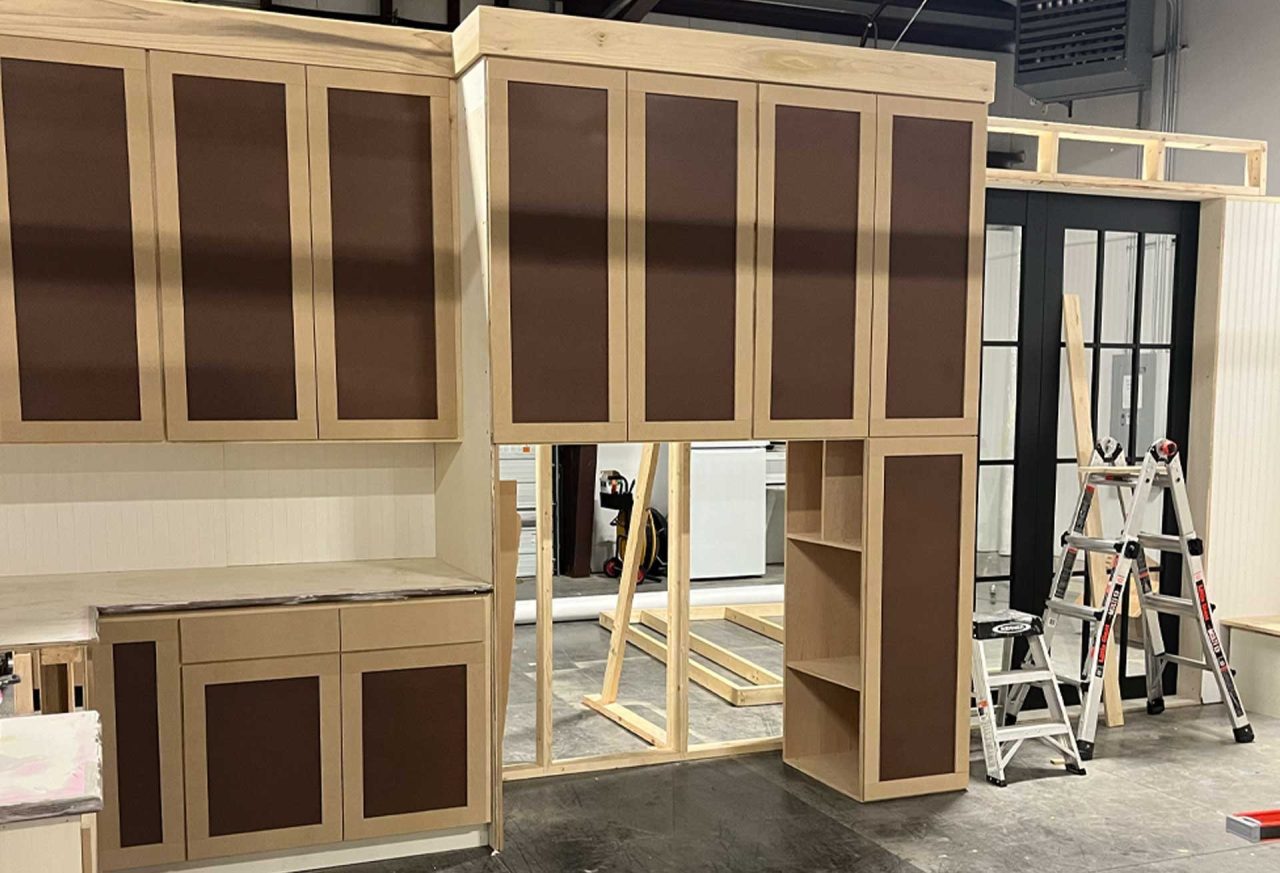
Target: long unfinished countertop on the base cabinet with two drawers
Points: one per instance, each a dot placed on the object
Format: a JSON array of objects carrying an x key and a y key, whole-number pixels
[{"x": 63, "y": 610}]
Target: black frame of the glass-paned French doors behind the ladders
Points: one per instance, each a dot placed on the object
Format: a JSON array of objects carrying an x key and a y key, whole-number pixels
[{"x": 1045, "y": 218}]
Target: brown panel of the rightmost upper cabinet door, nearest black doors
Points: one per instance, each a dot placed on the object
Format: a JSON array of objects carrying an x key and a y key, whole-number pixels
[{"x": 929, "y": 268}]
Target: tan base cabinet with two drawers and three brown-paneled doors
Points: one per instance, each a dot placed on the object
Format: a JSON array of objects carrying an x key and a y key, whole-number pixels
[{"x": 241, "y": 732}]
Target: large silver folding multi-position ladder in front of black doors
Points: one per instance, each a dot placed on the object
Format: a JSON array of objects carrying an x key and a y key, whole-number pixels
[{"x": 1162, "y": 470}]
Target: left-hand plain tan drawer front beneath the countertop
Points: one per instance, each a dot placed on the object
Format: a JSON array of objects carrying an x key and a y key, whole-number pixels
[{"x": 248, "y": 634}]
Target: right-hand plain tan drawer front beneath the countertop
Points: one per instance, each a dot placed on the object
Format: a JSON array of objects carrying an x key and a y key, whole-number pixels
[{"x": 432, "y": 621}]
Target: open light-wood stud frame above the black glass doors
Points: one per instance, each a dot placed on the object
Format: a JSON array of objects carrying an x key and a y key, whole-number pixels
[{"x": 1155, "y": 149}]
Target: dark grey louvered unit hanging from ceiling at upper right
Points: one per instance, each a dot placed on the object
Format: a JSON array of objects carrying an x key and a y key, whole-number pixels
[{"x": 1073, "y": 49}]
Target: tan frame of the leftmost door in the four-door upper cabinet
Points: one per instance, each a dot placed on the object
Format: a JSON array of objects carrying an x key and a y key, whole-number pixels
[{"x": 500, "y": 72}]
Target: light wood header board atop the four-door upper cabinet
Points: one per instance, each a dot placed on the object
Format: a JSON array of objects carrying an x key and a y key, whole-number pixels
[{"x": 491, "y": 31}]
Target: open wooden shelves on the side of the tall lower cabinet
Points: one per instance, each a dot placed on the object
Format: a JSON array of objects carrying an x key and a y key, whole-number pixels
[{"x": 825, "y": 591}]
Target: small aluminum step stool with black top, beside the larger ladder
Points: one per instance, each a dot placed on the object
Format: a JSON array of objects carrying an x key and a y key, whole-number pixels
[{"x": 1002, "y": 743}]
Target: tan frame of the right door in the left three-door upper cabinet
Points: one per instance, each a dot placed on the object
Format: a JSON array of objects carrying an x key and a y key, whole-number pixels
[{"x": 441, "y": 93}]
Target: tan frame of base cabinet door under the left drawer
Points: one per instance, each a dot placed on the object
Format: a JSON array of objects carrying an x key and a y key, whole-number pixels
[{"x": 195, "y": 679}]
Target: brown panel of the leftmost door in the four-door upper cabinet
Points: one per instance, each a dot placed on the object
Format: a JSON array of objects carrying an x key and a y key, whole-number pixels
[{"x": 559, "y": 243}]
